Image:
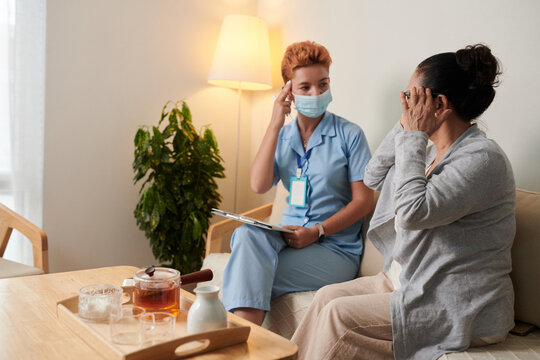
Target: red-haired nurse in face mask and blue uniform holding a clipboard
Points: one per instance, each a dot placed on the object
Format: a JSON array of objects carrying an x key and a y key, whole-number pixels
[{"x": 320, "y": 158}]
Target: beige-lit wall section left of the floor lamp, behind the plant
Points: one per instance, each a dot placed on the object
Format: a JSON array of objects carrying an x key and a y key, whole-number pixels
[{"x": 111, "y": 66}]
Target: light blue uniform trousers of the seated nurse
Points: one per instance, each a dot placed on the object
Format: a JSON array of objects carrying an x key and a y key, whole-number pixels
[{"x": 262, "y": 267}]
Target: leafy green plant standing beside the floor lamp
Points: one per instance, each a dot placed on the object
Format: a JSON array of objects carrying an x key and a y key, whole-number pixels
[{"x": 179, "y": 167}]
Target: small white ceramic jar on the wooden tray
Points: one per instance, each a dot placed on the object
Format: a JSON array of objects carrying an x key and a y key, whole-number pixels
[{"x": 207, "y": 312}]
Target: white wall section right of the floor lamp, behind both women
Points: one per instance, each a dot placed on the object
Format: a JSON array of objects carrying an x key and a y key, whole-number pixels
[{"x": 376, "y": 45}]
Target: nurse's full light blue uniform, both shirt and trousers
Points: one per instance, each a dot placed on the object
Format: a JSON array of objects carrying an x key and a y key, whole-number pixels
[{"x": 262, "y": 266}]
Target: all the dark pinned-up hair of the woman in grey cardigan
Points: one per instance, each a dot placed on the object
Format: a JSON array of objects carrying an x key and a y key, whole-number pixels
[{"x": 467, "y": 78}]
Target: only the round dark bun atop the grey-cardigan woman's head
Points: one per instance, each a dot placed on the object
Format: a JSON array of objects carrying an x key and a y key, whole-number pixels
[{"x": 480, "y": 65}]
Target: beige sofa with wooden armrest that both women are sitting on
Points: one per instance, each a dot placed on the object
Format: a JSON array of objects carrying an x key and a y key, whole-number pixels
[{"x": 287, "y": 311}]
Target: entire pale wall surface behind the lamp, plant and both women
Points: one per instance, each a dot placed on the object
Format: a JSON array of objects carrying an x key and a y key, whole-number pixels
[{"x": 111, "y": 65}]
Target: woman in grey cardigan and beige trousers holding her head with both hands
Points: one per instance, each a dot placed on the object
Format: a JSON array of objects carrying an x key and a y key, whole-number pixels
[{"x": 444, "y": 223}]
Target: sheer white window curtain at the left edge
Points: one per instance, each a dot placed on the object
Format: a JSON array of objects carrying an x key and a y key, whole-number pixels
[{"x": 26, "y": 117}]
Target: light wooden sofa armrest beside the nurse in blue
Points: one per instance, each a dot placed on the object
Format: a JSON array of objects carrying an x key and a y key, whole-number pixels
[{"x": 216, "y": 232}]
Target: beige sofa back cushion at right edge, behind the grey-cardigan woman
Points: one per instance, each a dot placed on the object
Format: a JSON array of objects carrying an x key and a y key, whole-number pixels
[{"x": 525, "y": 257}]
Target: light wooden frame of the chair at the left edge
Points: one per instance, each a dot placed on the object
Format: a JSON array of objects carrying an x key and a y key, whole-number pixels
[{"x": 10, "y": 220}]
